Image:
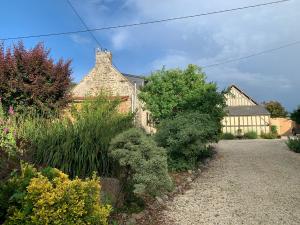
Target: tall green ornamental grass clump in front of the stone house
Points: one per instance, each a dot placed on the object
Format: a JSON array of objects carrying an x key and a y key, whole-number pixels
[{"x": 78, "y": 145}]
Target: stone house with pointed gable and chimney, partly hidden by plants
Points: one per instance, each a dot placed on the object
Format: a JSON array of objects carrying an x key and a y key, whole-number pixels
[{"x": 104, "y": 77}]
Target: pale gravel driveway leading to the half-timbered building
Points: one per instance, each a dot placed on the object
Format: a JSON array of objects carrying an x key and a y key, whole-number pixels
[{"x": 250, "y": 182}]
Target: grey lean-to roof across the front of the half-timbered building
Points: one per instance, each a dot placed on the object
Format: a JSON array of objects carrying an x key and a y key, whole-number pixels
[{"x": 254, "y": 110}]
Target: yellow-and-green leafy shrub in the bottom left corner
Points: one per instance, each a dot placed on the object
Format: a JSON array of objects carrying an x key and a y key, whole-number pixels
[{"x": 50, "y": 197}]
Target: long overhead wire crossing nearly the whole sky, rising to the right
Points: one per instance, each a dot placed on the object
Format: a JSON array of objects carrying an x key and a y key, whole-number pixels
[{"x": 144, "y": 23}]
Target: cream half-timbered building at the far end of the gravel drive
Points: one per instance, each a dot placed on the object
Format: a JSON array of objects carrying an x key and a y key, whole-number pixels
[{"x": 244, "y": 114}]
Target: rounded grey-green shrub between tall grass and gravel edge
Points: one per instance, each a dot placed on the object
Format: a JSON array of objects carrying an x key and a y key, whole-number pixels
[{"x": 142, "y": 162}]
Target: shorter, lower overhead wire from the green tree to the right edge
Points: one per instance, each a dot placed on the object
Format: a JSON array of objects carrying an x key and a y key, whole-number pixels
[{"x": 251, "y": 55}]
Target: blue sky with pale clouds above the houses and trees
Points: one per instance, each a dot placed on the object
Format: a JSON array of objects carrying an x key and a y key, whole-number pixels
[{"x": 144, "y": 49}]
